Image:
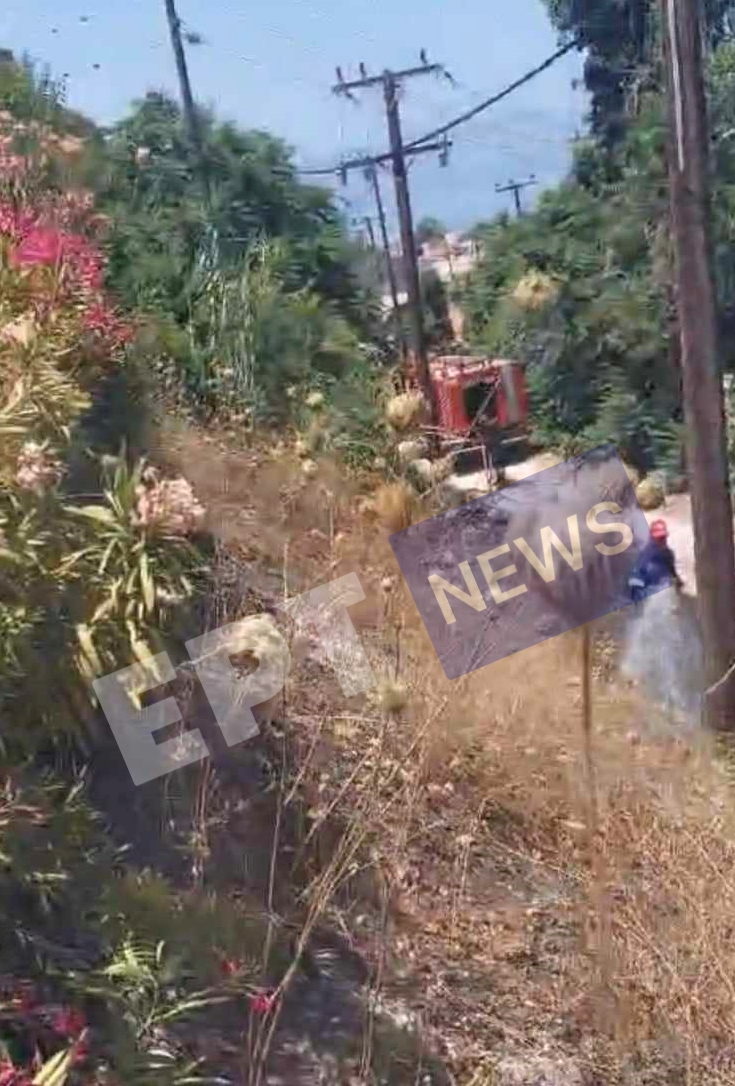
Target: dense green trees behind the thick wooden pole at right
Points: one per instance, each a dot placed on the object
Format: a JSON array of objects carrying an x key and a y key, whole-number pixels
[{"x": 582, "y": 287}]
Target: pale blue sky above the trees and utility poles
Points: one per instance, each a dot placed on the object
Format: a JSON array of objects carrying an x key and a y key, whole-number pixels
[{"x": 272, "y": 66}]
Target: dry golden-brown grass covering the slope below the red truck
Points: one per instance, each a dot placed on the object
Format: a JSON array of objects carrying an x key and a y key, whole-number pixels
[{"x": 499, "y": 915}]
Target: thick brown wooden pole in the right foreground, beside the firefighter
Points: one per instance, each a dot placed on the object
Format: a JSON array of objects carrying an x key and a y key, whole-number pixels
[{"x": 704, "y": 400}]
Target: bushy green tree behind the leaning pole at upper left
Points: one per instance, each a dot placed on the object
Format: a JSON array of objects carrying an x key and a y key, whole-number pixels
[{"x": 160, "y": 217}]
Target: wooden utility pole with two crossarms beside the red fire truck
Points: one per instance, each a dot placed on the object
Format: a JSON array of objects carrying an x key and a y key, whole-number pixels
[{"x": 390, "y": 83}]
